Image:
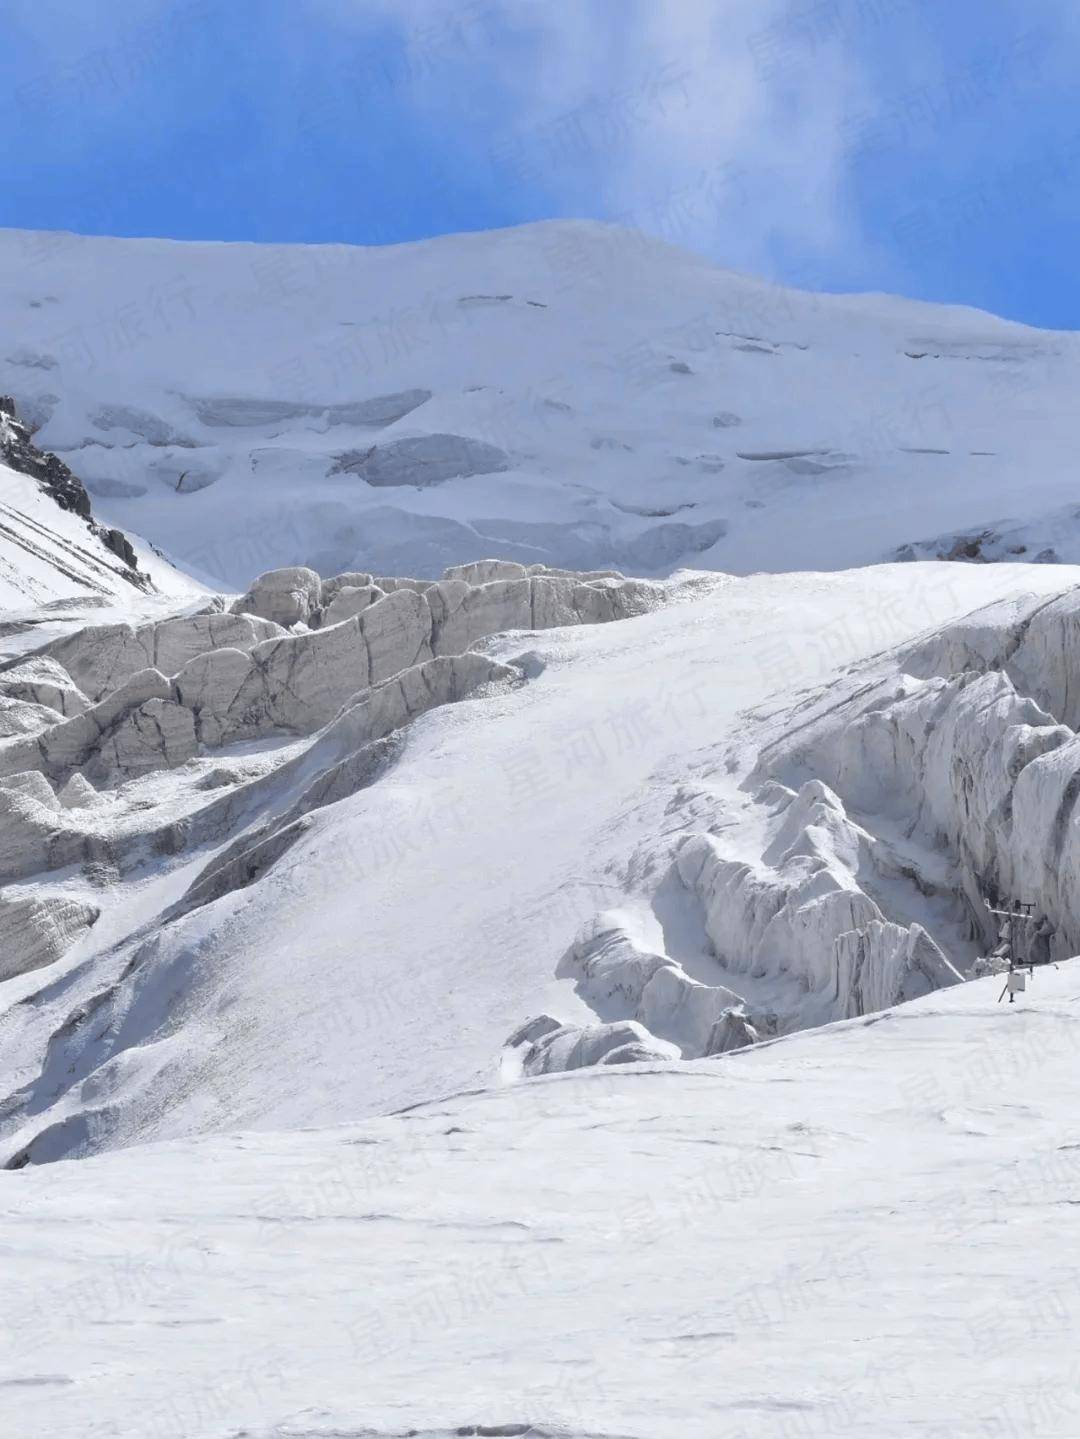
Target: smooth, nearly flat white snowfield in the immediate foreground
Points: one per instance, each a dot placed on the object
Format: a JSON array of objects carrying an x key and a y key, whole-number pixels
[{"x": 862, "y": 1233}]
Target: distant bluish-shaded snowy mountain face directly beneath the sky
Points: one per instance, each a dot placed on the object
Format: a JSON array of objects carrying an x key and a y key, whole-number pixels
[{"x": 563, "y": 394}]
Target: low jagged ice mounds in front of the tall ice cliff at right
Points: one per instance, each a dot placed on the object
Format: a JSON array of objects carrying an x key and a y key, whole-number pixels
[{"x": 797, "y": 914}]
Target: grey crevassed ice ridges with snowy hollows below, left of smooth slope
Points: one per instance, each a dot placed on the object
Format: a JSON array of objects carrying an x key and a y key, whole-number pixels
[{"x": 99, "y": 717}]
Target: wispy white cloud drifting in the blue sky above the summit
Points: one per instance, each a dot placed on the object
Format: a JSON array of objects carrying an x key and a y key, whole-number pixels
[{"x": 718, "y": 124}]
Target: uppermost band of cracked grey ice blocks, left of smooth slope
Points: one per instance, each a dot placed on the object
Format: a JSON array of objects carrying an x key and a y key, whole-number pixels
[{"x": 140, "y": 700}]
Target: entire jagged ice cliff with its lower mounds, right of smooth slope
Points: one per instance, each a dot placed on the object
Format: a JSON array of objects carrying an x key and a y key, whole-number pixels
[{"x": 882, "y": 820}]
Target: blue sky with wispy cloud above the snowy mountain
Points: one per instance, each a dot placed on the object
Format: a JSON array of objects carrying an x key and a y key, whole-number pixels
[{"x": 930, "y": 147}]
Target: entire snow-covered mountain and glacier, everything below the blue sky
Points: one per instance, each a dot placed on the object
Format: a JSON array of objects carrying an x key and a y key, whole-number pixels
[{"x": 537, "y": 1002}]
